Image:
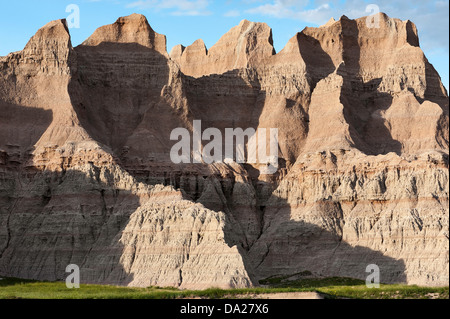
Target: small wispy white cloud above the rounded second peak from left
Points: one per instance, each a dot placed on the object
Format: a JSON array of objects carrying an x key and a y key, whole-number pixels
[{"x": 175, "y": 7}]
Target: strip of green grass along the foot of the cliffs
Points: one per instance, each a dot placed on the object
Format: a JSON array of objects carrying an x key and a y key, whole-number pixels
[{"x": 13, "y": 288}]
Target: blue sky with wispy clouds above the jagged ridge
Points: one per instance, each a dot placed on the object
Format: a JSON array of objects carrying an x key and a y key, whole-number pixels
[{"x": 184, "y": 21}]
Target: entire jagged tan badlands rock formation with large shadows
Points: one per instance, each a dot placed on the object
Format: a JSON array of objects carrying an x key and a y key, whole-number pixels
[{"x": 86, "y": 176}]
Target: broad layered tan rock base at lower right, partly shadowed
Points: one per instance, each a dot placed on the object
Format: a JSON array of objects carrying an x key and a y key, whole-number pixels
[{"x": 382, "y": 211}]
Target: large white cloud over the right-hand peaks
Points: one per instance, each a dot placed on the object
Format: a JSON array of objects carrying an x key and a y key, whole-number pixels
[{"x": 430, "y": 17}]
